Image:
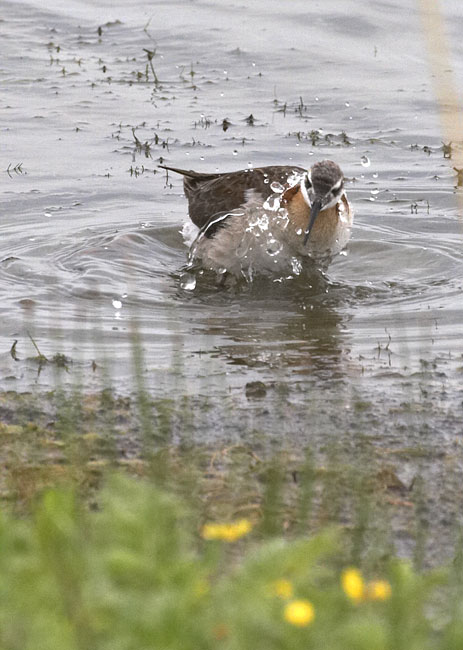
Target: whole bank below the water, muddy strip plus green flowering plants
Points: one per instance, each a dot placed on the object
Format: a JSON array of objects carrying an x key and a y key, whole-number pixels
[{"x": 115, "y": 533}]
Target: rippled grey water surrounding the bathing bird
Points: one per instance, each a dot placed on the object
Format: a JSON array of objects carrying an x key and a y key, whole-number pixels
[{"x": 90, "y": 227}]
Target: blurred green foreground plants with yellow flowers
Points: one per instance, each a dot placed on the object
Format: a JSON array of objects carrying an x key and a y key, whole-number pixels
[{"x": 139, "y": 570}]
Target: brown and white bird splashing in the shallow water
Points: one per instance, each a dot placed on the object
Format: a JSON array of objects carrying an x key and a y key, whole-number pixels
[{"x": 267, "y": 219}]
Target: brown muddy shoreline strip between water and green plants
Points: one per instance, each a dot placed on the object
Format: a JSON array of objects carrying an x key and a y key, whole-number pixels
[{"x": 385, "y": 498}]
